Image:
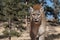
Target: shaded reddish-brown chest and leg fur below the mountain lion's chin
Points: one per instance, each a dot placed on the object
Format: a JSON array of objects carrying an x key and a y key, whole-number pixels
[{"x": 34, "y": 30}]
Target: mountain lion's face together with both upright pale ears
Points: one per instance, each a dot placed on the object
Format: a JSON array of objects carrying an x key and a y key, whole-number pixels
[{"x": 36, "y": 14}]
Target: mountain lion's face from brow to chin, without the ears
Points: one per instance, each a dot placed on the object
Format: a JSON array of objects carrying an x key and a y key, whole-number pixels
[{"x": 36, "y": 16}]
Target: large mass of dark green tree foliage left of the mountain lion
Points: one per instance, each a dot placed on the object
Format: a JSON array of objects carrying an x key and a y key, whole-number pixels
[{"x": 11, "y": 8}]
